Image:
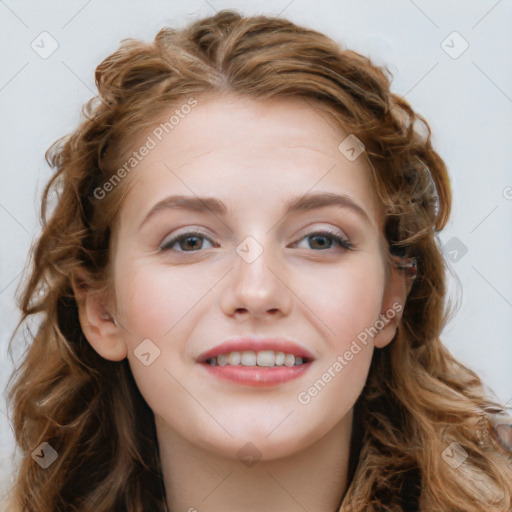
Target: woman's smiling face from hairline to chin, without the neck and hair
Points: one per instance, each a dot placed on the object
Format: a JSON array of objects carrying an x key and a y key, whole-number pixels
[{"x": 221, "y": 300}]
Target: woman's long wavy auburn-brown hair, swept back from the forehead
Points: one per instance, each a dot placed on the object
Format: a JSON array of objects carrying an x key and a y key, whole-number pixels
[{"x": 418, "y": 398}]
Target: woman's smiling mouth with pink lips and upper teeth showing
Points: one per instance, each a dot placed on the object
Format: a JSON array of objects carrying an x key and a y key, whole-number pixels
[{"x": 257, "y": 362}]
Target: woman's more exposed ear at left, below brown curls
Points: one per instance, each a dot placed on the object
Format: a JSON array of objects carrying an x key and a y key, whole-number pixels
[{"x": 98, "y": 325}]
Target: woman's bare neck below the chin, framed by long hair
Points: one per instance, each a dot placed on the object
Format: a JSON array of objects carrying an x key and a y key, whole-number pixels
[{"x": 197, "y": 480}]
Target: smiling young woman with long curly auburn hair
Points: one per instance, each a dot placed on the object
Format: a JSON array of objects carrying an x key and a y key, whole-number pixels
[{"x": 242, "y": 294}]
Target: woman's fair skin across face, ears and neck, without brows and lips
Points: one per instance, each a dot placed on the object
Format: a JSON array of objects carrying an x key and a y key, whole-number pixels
[{"x": 254, "y": 156}]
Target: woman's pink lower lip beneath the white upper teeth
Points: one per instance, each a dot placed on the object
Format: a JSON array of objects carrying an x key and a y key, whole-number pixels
[{"x": 257, "y": 375}]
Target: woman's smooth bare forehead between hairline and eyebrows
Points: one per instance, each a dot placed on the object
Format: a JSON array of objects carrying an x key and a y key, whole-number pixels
[{"x": 249, "y": 150}]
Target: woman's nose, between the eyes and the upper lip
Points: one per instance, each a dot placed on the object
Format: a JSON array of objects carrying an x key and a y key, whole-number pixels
[{"x": 257, "y": 288}]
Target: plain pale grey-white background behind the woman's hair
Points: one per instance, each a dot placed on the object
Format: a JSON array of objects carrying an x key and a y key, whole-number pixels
[{"x": 467, "y": 101}]
